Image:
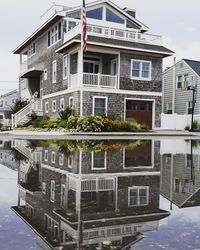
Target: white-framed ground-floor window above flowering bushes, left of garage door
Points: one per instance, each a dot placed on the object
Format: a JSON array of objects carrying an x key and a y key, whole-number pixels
[{"x": 99, "y": 105}]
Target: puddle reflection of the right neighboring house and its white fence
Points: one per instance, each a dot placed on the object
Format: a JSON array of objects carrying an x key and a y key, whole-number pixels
[{"x": 180, "y": 172}]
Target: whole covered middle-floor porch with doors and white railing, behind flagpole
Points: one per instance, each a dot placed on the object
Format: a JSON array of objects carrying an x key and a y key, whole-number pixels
[{"x": 99, "y": 70}]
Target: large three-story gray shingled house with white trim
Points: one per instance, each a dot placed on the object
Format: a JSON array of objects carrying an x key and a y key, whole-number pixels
[{"x": 120, "y": 74}]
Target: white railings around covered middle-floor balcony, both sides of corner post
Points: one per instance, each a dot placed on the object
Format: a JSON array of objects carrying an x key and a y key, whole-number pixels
[{"x": 94, "y": 80}]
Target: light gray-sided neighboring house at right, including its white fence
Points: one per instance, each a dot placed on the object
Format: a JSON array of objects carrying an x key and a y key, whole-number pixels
[{"x": 177, "y": 100}]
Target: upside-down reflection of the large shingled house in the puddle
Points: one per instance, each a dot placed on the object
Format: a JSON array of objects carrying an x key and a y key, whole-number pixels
[{"x": 97, "y": 199}]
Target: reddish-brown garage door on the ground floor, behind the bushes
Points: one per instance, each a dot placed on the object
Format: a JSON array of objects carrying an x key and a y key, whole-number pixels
[{"x": 141, "y": 111}]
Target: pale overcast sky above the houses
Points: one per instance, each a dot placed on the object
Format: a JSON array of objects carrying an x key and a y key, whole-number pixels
[{"x": 176, "y": 20}]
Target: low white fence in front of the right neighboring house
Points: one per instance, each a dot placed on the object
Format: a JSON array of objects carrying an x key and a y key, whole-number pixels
[{"x": 177, "y": 122}]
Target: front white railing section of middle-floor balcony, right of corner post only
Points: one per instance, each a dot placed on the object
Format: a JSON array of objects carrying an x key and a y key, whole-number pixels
[{"x": 100, "y": 80}]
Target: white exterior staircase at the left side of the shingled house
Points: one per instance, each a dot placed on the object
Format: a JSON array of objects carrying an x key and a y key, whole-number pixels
[{"x": 23, "y": 116}]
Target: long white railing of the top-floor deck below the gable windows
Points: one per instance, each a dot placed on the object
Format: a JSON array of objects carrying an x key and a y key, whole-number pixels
[{"x": 128, "y": 35}]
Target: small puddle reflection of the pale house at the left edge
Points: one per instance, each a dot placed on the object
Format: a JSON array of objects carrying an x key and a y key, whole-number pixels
[{"x": 6, "y": 155}]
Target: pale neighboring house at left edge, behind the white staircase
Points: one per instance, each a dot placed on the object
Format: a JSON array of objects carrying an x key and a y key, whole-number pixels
[{"x": 6, "y": 102}]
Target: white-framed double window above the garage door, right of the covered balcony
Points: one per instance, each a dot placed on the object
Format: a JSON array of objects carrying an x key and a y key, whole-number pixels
[{"x": 141, "y": 70}]
